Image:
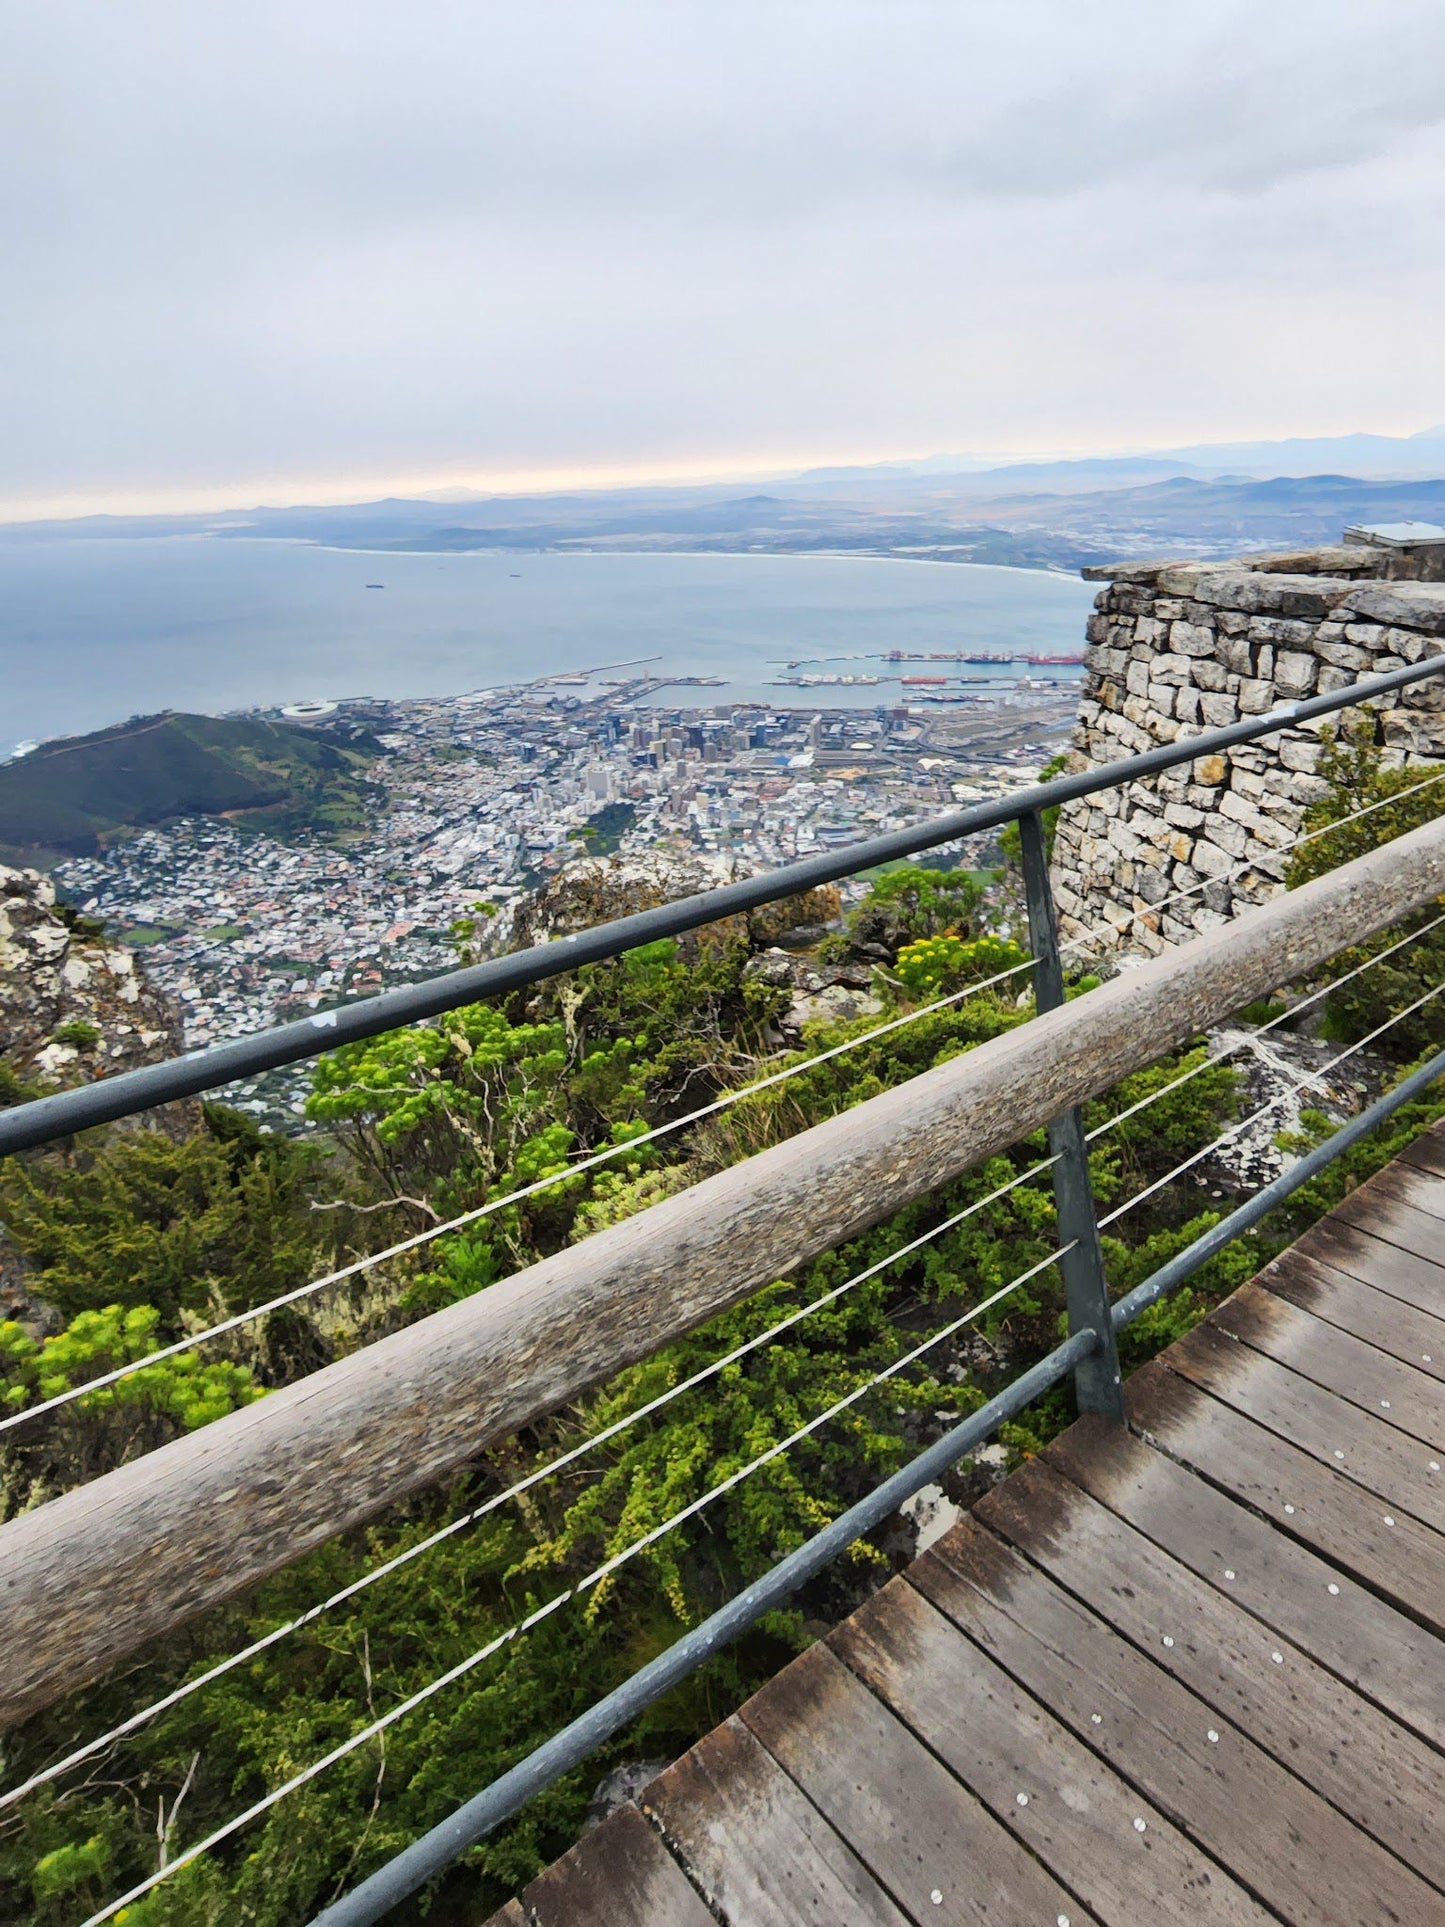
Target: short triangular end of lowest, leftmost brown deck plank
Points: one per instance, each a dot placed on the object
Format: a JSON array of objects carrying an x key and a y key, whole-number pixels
[{"x": 617, "y": 1876}]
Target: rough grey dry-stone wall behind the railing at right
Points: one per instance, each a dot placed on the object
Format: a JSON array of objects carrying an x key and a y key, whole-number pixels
[{"x": 1176, "y": 648}]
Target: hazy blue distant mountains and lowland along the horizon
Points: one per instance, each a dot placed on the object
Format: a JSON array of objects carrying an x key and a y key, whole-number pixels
[{"x": 1047, "y": 515}]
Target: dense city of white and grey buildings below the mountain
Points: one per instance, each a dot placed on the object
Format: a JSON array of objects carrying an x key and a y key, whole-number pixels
[{"x": 483, "y": 799}]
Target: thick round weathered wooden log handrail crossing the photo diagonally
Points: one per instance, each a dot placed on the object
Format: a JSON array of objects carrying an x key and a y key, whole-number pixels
[{"x": 93, "y": 1575}]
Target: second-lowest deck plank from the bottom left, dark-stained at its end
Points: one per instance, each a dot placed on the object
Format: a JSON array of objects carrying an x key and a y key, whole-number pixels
[{"x": 754, "y": 1843}]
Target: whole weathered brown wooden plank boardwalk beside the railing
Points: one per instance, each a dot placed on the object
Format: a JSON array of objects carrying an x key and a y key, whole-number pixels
[{"x": 1194, "y": 1672}]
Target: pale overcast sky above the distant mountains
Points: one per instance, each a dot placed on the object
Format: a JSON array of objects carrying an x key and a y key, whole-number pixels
[{"x": 346, "y": 248}]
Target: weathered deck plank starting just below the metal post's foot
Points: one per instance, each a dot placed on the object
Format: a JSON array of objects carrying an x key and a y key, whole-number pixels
[{"x": 1377, "y": 1649}]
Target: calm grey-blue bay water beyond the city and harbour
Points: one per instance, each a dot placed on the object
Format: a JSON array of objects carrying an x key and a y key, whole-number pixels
[{"x": 97, "y": 631}]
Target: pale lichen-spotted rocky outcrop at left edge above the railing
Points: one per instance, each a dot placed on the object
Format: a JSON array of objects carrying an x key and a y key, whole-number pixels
[{"x": 72, "y": 1005}]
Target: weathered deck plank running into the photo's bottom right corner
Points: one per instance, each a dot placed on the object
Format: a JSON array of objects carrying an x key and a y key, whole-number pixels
[{"x": 1215, "y": 1783}]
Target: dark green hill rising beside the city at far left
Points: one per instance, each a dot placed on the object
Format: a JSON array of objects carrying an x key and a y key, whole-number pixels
[{"x": 74, "y": 795}]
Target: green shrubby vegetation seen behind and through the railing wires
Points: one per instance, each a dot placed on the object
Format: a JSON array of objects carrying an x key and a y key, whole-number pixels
[{"x": 130, "y": 1240}]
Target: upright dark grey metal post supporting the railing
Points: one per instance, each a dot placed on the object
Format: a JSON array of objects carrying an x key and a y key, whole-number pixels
[{"x": 1097, "y": 1381}]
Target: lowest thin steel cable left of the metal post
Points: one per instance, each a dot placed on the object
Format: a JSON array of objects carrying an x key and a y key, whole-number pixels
[{"x": 585, "y": 1585}]
